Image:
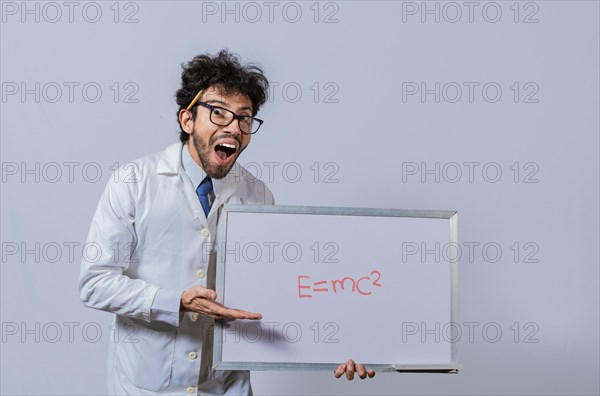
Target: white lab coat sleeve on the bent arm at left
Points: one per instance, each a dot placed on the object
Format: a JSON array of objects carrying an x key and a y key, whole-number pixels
[{"x": 110, "y": 243}]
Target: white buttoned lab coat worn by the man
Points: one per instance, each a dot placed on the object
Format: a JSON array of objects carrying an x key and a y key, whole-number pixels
[{"x": 148, "y": 242}]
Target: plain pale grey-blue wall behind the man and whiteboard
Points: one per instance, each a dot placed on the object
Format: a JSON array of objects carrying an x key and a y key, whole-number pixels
[{"x": 533, "y": 270}]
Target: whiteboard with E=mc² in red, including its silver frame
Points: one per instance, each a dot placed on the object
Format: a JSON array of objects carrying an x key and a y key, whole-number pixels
[{"x": 375, "y": 285}]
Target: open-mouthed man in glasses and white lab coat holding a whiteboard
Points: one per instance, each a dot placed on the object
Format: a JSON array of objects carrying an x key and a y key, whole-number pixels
[{"x": 162, "y": 214}]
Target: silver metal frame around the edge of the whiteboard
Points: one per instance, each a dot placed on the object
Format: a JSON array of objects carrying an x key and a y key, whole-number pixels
[{"x": 224, "y": 210}]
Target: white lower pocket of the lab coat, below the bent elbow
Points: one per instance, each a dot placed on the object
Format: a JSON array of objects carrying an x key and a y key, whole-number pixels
[{"x": 145, "y": 358}]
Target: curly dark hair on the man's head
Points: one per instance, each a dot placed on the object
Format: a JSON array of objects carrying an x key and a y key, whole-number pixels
[{"x": 226, "y": 72}]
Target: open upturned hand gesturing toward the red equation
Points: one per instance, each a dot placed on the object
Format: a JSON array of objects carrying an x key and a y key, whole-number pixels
[{"x": 202, "y": 300}]
